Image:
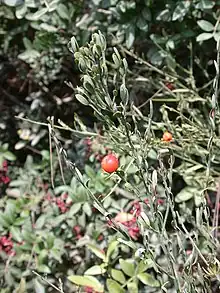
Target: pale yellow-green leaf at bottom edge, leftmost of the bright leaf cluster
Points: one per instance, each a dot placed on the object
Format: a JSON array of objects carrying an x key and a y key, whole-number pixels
[{"x": 87, "y": 281}]
